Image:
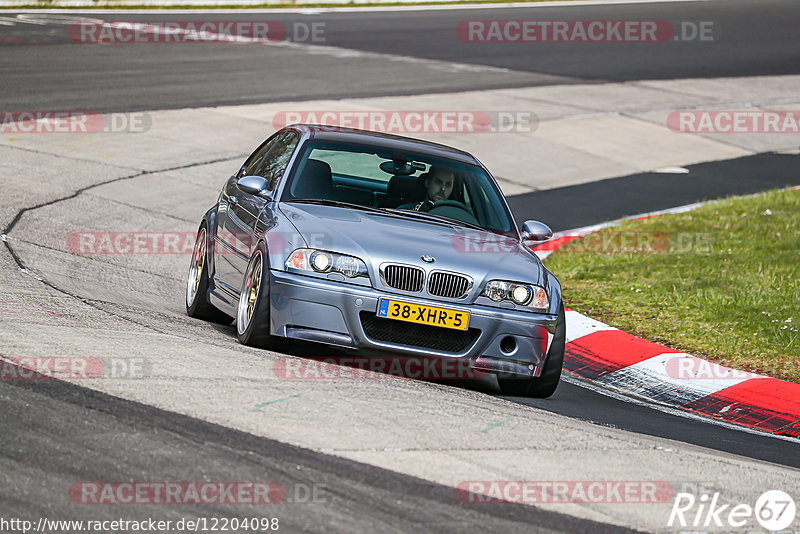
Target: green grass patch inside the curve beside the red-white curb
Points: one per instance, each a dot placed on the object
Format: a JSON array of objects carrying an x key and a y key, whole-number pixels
[{"x": 721, "y": 281}]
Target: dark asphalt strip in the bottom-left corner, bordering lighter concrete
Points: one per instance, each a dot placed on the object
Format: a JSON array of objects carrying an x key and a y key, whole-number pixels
[{"x": 119, "y": 437}]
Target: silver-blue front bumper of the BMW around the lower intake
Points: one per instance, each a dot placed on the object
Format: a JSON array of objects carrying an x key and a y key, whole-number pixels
[{"x": 327, "y": 311}]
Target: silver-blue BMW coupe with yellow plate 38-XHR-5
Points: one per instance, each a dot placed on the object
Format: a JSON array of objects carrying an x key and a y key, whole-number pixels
[{"x": 381, "y": 244}]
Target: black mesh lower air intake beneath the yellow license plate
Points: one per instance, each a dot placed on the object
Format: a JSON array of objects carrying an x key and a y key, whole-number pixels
[{"x": 417, "y": 335}]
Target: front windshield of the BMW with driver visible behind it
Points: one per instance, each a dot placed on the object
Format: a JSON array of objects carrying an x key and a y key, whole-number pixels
[{"x": 401, "y": 183}]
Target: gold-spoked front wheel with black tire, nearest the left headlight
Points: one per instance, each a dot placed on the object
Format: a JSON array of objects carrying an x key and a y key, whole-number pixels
[{"x": 252, "y": 316}]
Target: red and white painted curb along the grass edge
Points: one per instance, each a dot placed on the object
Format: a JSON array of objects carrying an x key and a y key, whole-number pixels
[{"x": 624, "y": 363}]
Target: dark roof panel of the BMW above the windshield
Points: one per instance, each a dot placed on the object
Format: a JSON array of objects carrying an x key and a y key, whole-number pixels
[{"x": 384, "y": 140}]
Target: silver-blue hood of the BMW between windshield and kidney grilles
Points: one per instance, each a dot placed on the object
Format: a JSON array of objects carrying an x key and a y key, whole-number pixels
[{"x": 378, "y": 239}]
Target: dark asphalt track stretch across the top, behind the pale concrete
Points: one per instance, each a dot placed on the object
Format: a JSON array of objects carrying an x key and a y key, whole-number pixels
[{"x": 749, "y": 39}]
